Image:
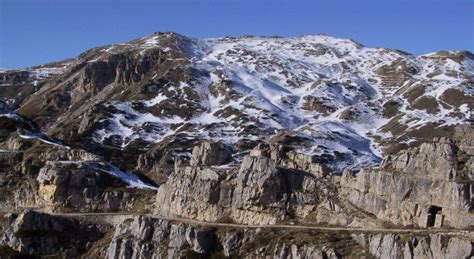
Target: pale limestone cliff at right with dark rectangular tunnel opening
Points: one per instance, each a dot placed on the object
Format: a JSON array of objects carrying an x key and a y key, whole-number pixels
[{"x": 430, "y": 185}]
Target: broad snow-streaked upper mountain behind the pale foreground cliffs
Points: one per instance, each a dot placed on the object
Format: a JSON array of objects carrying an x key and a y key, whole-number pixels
[{"x": 344, "y": 104}]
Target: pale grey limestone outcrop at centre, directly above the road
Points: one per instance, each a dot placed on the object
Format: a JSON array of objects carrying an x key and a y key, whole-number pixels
[{"x": 259, "y": 192}]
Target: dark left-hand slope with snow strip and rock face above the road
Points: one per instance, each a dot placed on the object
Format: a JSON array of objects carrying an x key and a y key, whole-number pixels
[{"x": 39, "y": 171}]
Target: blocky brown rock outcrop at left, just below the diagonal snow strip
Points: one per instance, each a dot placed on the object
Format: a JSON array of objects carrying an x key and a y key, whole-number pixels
[{"x": 84, "y": 186}]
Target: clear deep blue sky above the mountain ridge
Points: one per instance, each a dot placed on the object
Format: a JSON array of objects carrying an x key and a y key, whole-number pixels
[{"x": 38, "y": 31}]
